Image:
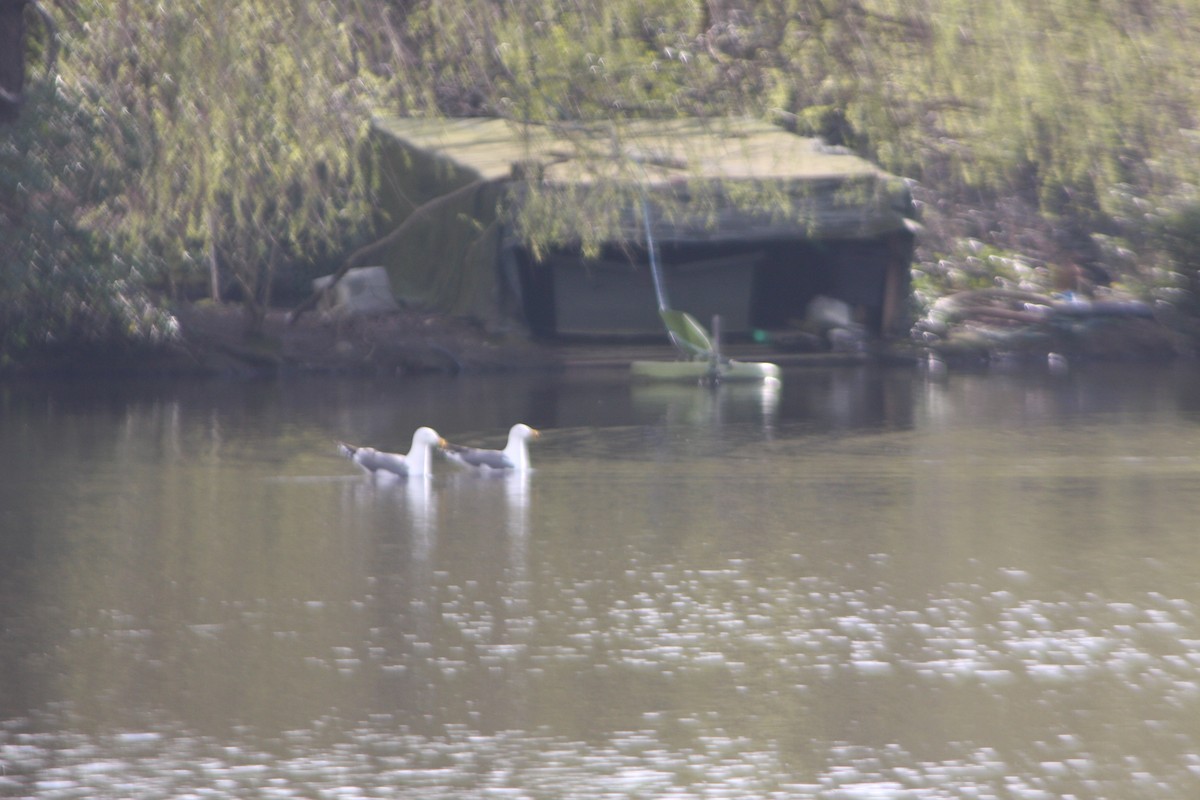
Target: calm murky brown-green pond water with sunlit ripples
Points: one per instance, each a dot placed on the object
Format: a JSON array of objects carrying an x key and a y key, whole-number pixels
[{"x": 865, "y": 585}]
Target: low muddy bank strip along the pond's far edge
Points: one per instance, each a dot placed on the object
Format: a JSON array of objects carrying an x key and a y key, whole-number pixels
[{"x": 212, "y": 341}]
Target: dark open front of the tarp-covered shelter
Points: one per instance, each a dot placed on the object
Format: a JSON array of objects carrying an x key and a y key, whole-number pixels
[{"x": 754, "y": 286}]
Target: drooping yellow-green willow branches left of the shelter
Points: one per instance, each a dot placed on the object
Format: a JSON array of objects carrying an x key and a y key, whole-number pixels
[{"x": 241, "y": 128}]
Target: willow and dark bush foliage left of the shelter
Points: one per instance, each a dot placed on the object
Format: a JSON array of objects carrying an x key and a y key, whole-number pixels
[{"x": 177, "y": 137}]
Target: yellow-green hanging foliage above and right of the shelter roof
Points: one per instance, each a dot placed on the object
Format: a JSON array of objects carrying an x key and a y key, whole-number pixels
[{"x": 1052, "y": 100}]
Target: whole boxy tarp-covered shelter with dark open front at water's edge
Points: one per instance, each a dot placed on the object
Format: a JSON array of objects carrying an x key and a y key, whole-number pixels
[{"x": 751, "y": 222}]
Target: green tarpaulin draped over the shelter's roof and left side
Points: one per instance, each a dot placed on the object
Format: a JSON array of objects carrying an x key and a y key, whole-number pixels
[{"x": 706, "y": 181}]
